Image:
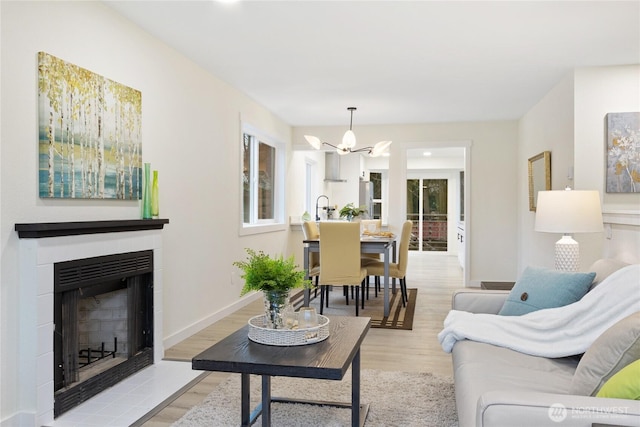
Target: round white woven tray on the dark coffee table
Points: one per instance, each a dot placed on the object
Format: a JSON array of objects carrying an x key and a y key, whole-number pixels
[{"x": 287, "y": 337}]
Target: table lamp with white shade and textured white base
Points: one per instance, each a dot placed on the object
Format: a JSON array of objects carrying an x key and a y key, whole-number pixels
[{"x": 568, "y": 211}]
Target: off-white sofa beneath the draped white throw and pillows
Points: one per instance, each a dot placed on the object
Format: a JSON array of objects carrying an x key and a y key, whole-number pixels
[{"x": 496, "y": 386}]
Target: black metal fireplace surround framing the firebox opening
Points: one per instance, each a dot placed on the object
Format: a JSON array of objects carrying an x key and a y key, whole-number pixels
[{"x": 90, "y": 277}]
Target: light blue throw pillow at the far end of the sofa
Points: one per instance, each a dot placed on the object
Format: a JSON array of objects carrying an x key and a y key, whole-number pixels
[{"x": 540, "y": 288}]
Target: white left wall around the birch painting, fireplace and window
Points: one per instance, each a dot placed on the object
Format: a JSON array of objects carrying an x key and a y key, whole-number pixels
[{"x": 191, "y": 134}]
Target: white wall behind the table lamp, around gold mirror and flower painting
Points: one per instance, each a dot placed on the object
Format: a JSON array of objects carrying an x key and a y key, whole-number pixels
[{"x": 570, "y": 121}]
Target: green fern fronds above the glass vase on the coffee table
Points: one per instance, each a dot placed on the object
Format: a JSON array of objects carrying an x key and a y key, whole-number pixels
[{"x": 263, "y": 273}]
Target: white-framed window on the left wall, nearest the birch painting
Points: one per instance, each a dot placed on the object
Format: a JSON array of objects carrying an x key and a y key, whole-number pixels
[{"x": 262, "y": 179}]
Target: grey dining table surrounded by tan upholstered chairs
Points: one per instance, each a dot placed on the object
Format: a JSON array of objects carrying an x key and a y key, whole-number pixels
[{"x": 369, "y": 244}]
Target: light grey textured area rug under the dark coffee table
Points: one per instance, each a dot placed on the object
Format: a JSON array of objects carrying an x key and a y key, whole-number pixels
[{"x": 395, "y": 399}]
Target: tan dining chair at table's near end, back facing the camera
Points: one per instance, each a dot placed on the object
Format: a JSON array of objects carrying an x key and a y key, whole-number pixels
[{"x": 340, "y": 259}]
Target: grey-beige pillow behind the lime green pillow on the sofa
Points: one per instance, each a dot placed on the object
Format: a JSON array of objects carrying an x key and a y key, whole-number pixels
[{"x": 617, "y": 347}]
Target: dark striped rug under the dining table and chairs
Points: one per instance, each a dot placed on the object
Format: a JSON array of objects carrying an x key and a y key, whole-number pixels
[{"x": 399, "y": 317}]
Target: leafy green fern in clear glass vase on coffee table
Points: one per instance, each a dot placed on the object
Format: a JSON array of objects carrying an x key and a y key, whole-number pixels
[{"x": 275, "y": 277}]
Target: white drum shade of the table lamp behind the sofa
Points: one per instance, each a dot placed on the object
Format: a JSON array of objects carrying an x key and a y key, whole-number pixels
[{"x": 568, "y": 211}]
